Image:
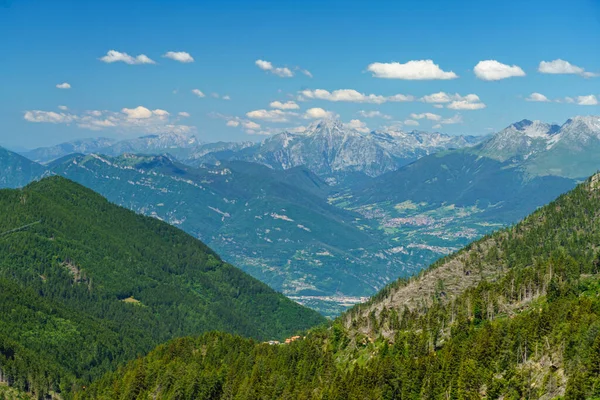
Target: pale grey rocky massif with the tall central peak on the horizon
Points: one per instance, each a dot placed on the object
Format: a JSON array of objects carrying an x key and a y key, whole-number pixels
[{"x": 327, "y": 148}]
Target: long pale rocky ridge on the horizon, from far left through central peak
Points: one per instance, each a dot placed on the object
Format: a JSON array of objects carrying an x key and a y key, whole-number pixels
[{"x": 326, "y": 147}]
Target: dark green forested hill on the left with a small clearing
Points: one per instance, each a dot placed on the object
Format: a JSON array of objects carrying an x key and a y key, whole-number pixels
[{"x": 86, "y": 285}]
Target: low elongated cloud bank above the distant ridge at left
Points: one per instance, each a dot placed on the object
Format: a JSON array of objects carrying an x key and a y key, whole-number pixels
[{"x": 139, "y": 119}]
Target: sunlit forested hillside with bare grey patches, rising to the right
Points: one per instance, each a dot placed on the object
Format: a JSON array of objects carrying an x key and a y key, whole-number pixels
[{"x": 526, "y": 326}]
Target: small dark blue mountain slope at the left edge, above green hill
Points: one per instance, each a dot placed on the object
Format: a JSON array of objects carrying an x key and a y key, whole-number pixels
[{"x": 17, "y": 170}]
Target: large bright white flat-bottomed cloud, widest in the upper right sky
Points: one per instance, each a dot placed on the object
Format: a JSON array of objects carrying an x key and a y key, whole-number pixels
[{"x": 412, "y": 70}]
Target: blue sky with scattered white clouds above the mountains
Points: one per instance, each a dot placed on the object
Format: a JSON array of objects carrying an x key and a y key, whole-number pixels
[{"x": 361, "y": 48}]
